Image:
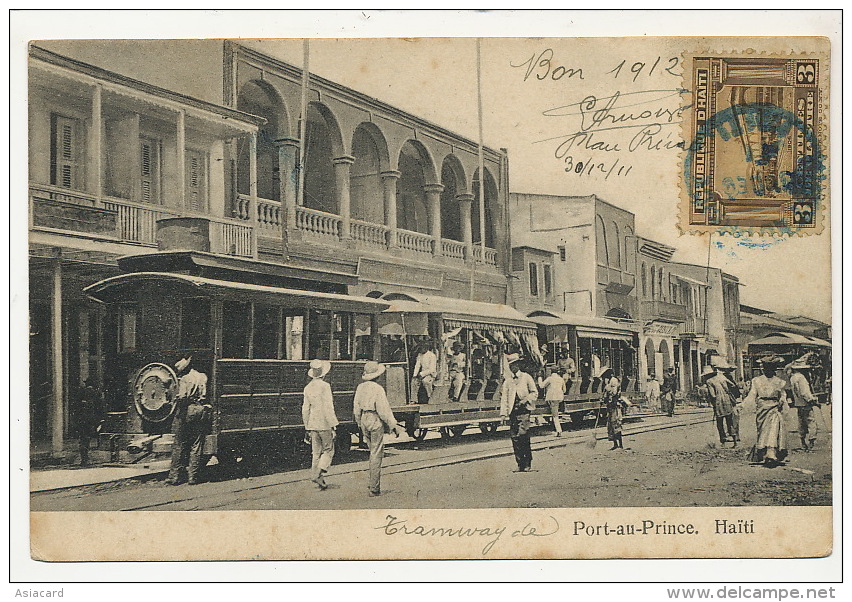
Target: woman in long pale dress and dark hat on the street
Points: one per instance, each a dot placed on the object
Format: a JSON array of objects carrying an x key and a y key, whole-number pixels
[{"x": 767, "y": 392}]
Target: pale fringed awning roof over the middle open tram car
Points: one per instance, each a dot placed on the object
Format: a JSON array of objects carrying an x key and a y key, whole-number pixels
[{"x": 462, "y": 313}]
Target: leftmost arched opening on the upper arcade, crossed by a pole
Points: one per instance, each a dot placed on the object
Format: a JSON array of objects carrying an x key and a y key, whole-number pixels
[{"x": 259, "y": 98}]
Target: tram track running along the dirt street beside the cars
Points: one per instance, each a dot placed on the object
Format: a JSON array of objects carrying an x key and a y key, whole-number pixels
[{"x": 207, "y": 500}]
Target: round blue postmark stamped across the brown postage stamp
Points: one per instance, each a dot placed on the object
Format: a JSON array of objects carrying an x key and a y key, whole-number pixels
[{"x": 765, "y": 131}]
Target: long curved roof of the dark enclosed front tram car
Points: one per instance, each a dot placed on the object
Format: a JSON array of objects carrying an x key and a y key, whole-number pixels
[{"x": 105, "y": 289}]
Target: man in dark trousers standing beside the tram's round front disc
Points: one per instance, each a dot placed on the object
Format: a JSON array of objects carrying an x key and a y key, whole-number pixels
[{"x": 190, "y": 424}]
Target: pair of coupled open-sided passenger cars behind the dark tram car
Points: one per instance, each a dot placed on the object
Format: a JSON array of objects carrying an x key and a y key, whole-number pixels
[{"x": 488, "y": 335}]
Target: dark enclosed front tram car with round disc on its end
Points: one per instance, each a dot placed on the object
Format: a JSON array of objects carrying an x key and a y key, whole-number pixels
[{"x": 254, "y": 342}]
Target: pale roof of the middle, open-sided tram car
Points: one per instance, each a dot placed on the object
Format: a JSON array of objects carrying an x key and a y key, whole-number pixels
[{"x": 476, "y": 312}]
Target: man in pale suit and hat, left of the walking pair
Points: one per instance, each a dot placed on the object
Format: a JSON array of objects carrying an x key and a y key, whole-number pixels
[{"x": 320, "y": 421}]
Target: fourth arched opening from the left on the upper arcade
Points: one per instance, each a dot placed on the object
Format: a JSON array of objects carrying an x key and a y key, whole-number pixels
[{"x": 412, "y": 211}]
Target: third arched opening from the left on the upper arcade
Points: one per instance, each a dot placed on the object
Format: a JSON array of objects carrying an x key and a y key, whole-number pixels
[{"x": 365, "y": 180}]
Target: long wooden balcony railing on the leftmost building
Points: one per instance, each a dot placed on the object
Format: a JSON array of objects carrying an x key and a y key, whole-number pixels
[{"x": 120, "y": 220}]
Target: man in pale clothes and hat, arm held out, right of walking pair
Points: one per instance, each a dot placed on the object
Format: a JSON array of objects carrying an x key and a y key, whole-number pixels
[{"x": 374, "y": 417}]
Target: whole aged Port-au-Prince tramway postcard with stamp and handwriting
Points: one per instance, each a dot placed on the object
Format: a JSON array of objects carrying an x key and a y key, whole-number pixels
[{"x": 430, "y": 298}]
